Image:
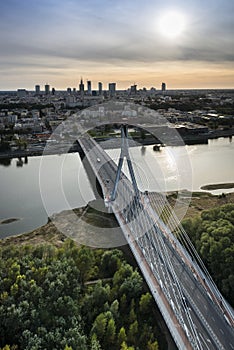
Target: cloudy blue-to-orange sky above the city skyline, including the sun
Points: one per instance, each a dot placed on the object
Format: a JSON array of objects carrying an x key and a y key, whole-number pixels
[{"x": 185, "y": 43}]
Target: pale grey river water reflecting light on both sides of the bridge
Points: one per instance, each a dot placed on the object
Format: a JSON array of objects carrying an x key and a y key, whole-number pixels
[{"x": 60, "y": 181}]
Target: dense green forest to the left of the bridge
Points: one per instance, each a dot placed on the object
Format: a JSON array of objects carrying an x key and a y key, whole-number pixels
[{"x": 73, "y": 298}]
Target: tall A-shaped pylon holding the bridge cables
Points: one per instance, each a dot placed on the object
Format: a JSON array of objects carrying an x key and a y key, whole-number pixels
[{"x": 124, "y": 154}]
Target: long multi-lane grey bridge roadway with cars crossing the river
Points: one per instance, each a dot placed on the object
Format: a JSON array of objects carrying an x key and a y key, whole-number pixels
[{"x": 193, "y": 317}]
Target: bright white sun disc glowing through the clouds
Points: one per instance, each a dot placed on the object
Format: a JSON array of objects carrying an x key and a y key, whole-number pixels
[{"x": 172, "y": 24}]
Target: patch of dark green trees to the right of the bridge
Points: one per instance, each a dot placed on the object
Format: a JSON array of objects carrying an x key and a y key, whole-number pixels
[{"x": 212, "y": 234}]
